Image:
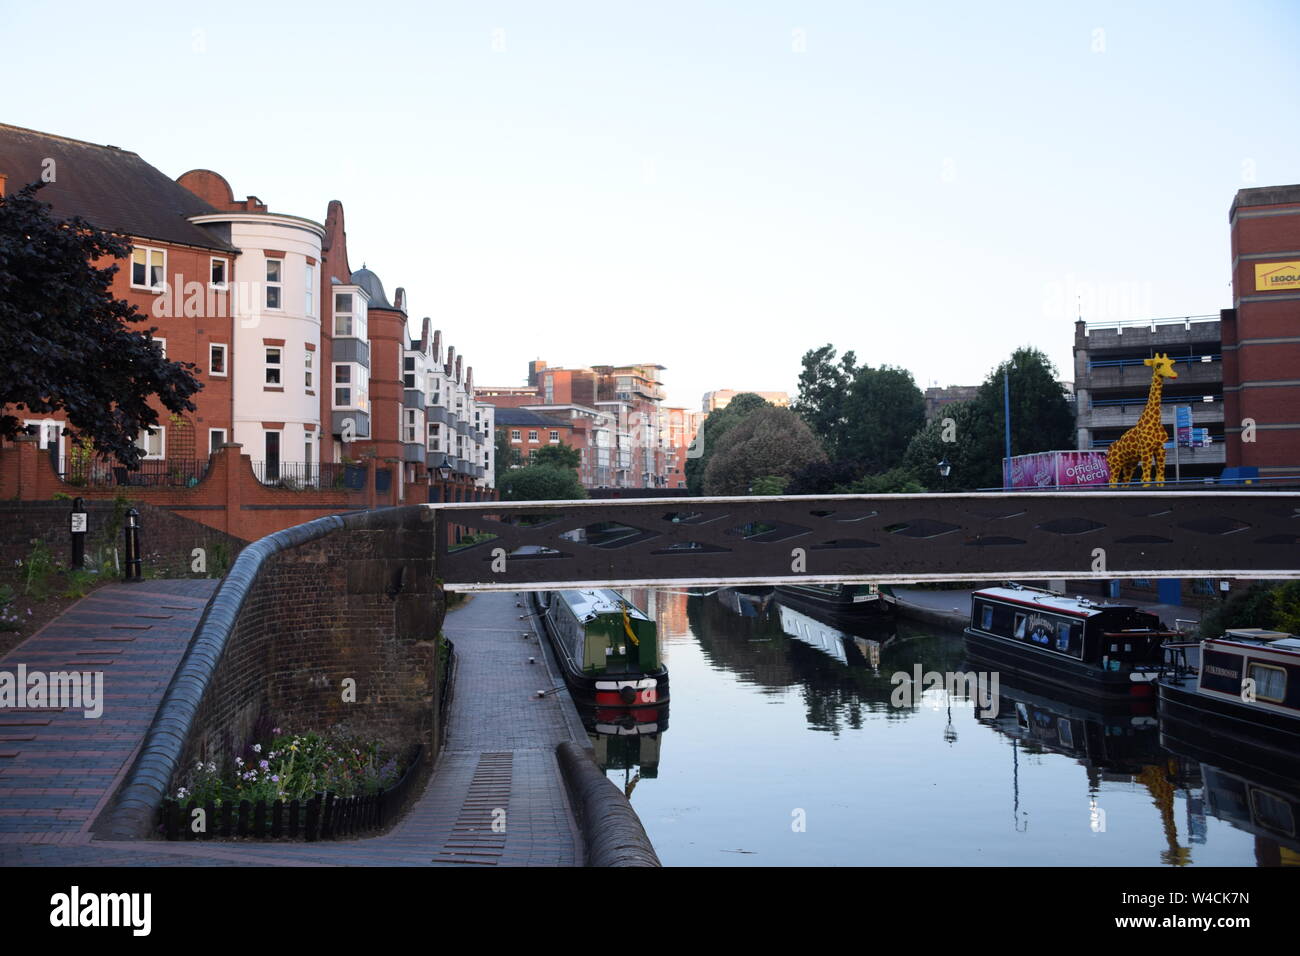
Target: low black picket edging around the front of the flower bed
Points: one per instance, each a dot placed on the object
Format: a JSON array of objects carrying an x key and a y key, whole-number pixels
[{"x": 320, "y": 817}]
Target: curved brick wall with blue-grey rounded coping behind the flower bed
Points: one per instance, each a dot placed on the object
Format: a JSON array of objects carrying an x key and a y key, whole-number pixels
[{"x": 344, "y": 596}]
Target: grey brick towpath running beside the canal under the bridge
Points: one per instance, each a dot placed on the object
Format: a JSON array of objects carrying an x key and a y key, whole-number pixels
[{"x": 499, "y": 765}]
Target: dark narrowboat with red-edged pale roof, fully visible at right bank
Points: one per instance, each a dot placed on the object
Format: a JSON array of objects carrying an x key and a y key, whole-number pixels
[{"x": 1103, "y": 650}]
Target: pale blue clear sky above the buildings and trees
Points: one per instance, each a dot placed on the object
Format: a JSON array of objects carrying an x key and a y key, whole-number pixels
[{"x": 714, "y": 188}]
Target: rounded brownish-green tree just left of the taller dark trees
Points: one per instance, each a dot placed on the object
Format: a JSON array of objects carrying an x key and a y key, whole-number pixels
[{"x": 768, "y": 443}]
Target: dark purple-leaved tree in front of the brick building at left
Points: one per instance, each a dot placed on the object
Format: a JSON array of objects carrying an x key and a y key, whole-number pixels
[{"x": 64, "y": 339}]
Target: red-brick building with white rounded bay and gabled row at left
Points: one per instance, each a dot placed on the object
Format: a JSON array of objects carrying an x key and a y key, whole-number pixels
[{"x": 306, "y": 365}]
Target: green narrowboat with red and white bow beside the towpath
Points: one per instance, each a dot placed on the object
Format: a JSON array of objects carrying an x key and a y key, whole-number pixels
[{"x": 608, "y": 648}]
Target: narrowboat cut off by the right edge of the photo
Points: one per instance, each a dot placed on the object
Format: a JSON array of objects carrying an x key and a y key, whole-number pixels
[{"x": 1243, "y": 693}]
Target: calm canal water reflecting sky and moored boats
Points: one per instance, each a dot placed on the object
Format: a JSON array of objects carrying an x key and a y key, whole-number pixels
[{"x": 788, "y": 742}]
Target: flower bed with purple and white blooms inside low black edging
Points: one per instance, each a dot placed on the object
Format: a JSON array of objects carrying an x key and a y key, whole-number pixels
[{"x": 300, "y": 786}]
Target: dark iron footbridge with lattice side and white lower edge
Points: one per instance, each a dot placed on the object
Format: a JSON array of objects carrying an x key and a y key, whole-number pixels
[{"x": 889, "y": 539}]
